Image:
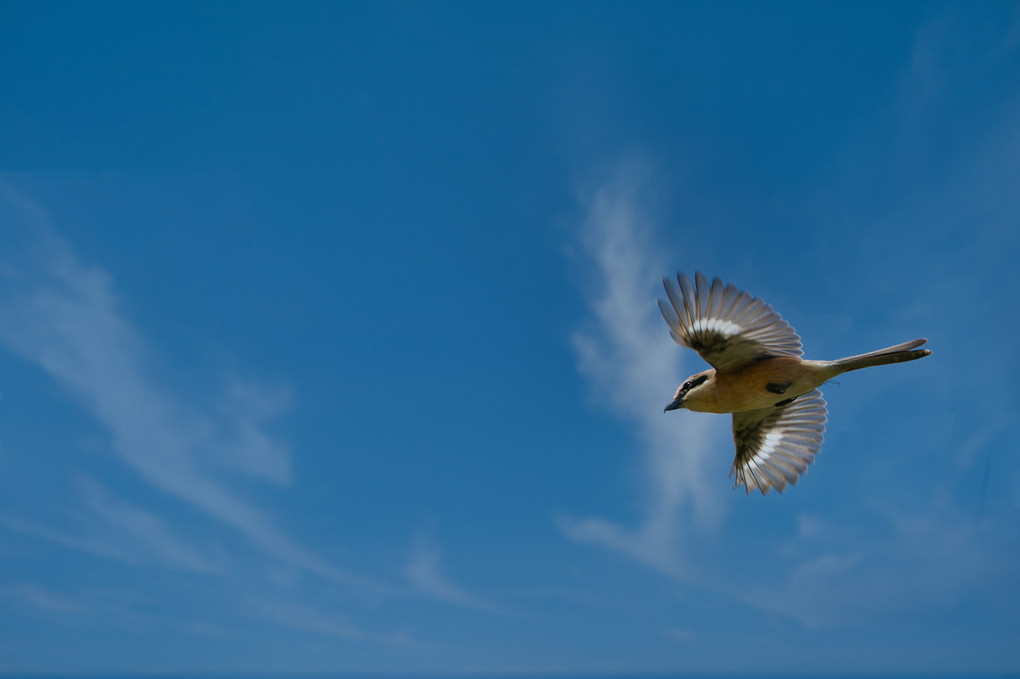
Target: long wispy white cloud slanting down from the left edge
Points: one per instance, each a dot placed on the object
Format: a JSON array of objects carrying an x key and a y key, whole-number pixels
[{"x": 65, "y": 317}]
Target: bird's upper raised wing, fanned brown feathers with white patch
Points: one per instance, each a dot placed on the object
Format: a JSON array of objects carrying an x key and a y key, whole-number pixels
[{"x": 727, "y": 327}]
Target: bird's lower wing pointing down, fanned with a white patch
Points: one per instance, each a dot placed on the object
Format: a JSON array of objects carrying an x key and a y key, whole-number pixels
[{"x": 775, "y": 446}]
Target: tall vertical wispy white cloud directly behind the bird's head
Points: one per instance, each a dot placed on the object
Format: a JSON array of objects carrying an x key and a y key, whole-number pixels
[{"x": 634, "y": 368}]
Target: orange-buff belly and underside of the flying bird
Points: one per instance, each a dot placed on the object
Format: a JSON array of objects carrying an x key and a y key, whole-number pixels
[{"x": 761, "y": 385}]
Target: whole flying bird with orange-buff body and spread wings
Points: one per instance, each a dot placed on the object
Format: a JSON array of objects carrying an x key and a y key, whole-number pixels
[{"x": 759, "y": 377}]
